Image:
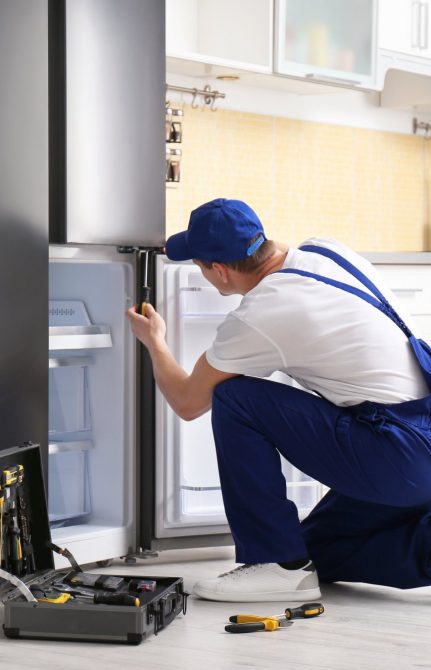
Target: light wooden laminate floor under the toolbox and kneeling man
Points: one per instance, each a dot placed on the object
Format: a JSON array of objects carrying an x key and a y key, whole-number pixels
[{"x": 363, "y": 627}]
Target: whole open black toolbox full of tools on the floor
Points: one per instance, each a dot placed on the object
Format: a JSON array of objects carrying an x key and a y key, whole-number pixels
[{"x": 69, "y": 604}]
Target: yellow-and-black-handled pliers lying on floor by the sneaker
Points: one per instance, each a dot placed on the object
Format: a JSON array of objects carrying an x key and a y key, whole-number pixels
[{"x": 249, "y": 623}]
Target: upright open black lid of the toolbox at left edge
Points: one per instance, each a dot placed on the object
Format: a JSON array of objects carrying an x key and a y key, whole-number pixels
[{"x": 28, "y": 456}]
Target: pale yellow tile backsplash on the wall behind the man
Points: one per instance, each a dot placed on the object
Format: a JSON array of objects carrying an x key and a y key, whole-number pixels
[{"x": 367, "y": 188}]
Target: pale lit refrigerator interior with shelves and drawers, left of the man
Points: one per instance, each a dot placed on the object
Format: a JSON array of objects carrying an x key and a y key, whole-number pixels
[{"x": 91, "y": 461}]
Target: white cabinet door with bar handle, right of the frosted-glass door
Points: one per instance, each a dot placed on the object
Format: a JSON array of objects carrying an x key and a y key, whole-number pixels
[{"x": 400, "y": 25}]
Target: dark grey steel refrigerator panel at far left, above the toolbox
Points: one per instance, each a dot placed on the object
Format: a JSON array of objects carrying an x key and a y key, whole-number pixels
[{"x": 23, "y": 222}]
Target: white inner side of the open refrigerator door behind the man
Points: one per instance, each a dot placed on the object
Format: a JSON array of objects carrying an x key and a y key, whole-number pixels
[{"x": 188, "y": 493}]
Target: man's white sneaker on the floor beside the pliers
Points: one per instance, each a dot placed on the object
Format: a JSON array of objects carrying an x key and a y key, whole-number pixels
[{"x": 262, "y": 581}]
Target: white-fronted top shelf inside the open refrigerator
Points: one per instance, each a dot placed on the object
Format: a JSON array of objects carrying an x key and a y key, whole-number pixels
[{"x": 79, "y": 337}]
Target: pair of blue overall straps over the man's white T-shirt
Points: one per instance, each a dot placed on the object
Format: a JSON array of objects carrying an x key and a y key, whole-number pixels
[{"x": 379, "y": 301}]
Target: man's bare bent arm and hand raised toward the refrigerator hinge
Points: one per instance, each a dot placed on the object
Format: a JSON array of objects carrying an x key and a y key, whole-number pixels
[{"x": 188, "y": 395}]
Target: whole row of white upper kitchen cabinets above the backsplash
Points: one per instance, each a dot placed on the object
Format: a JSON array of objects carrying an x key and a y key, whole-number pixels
[{"x": 304, "y": 46}]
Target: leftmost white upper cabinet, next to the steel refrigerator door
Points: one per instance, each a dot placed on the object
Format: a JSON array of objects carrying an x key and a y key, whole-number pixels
[{"x": 233, "y": 33}]
